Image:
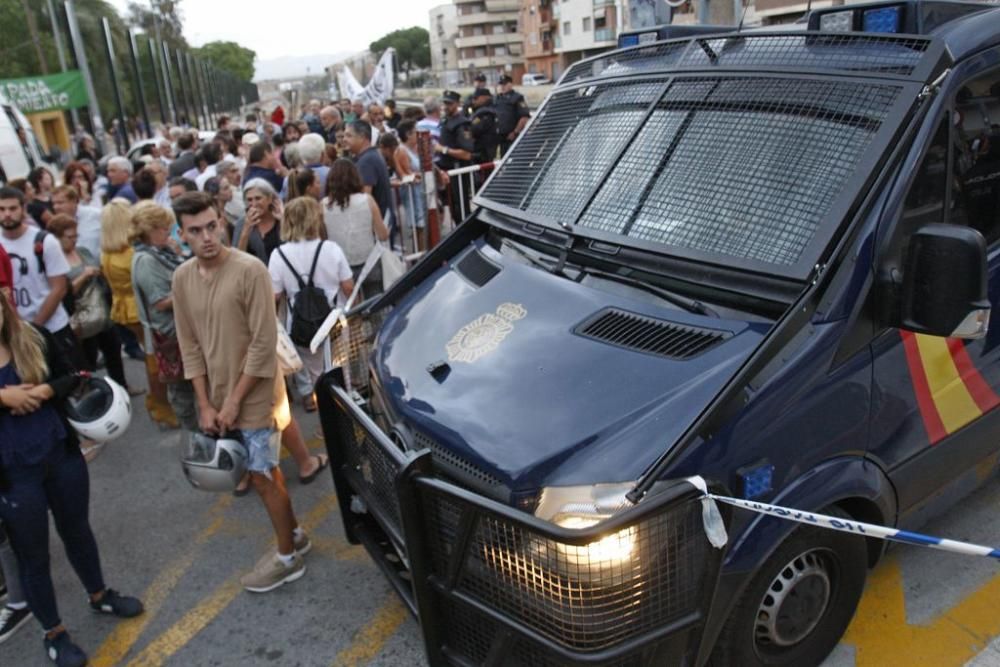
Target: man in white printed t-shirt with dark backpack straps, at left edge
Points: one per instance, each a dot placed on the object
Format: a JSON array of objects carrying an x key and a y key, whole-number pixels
[{"x": 40, "y": 270}]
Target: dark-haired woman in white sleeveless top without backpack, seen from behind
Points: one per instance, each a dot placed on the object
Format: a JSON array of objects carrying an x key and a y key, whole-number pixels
[{"x": 353, "y": 221}]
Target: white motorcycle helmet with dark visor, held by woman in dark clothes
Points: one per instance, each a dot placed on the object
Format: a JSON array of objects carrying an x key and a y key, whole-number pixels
[{"x": 99, "y": 409}]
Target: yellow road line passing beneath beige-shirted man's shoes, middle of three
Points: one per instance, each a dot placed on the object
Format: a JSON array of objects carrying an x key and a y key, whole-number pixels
[{"x": 193, "y": 622}]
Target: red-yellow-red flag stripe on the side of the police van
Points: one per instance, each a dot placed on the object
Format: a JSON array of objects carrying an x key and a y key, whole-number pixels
[{"x": 950, "y": 391}]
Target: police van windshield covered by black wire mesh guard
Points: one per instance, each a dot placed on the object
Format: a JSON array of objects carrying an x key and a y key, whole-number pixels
[{"x": 723, "y": 168}]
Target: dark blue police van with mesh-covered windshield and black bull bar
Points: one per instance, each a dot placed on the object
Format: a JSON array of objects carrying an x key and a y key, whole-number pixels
[{"x": 766, "y": 258}]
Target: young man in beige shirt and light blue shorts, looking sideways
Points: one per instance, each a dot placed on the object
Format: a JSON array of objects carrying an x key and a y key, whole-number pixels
[{"x": 226, "y": 326}]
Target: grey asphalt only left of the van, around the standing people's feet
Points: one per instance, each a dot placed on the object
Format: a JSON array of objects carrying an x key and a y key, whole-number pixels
[{"x": 183, "y": 552}]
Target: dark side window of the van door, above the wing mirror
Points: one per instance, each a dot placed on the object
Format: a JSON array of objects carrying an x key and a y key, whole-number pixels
[{"x": 976, "y": 156}]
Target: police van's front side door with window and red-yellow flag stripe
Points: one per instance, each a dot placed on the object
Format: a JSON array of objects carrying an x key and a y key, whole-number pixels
[{"x": 934, "y": 399}]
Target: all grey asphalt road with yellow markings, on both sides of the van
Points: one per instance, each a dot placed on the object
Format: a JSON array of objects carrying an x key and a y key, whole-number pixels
[{"x": 183, "y": 551}]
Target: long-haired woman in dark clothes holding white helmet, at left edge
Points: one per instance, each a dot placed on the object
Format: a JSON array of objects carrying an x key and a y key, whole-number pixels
[{"x": 42, "y": 470}]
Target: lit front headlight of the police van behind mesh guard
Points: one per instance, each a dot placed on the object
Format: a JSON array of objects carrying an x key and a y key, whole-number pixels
[{"x": 581, "y": 507}]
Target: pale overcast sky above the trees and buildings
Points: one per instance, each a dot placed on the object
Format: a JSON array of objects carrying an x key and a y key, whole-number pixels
[{"x": 297, "y": 27}]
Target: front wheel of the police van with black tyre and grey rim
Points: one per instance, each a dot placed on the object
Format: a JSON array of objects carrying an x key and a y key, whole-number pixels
[{"x": 826, "y": 570}]
